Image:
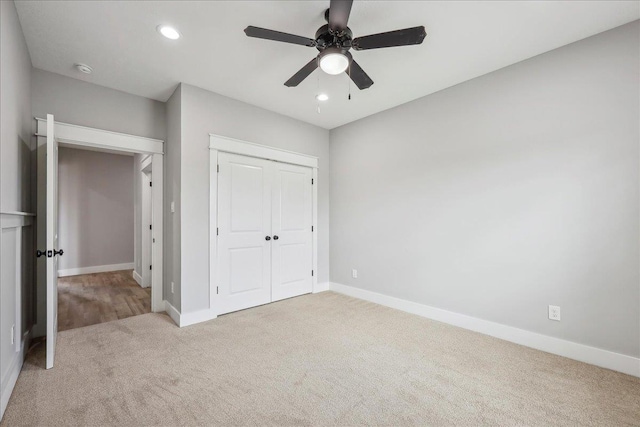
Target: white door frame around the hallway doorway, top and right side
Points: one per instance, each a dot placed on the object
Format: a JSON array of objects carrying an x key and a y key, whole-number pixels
[{"x": 75, "y": 136}]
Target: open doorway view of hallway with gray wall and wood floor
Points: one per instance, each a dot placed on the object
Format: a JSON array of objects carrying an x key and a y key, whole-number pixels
[{"x": 96, "y": 227}]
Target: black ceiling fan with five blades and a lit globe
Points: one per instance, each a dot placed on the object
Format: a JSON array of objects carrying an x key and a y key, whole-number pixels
[{"x": 334, "y": 40}]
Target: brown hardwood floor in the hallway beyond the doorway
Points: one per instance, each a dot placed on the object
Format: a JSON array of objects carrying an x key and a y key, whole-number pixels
[{"x": 89, "y": 299}]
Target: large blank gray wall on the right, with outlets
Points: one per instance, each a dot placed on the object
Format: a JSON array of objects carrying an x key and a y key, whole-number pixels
[{"x": 504, "y": 194}]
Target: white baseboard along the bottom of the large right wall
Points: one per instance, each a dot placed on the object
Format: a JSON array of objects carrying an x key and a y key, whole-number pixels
[{"x": 583, "y": 353}]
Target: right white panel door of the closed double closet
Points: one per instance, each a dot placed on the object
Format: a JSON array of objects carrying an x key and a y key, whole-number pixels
[{"x": 292, "y": 220}]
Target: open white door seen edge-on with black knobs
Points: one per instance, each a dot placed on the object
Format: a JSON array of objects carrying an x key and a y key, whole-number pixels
[{"x": 52, "y": 242}]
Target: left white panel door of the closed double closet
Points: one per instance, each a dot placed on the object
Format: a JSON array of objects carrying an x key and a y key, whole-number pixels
[{"x": 244, "y": 222}]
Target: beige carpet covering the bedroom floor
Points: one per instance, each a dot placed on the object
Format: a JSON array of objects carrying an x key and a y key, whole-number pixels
[{"x": 322, "y": 359}]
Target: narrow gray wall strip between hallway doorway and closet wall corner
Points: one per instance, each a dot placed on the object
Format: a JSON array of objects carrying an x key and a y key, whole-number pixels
[{"x": 172, "y": 242}]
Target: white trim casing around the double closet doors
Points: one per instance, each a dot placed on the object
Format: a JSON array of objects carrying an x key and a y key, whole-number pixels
[{"x": 217, "y": 144}]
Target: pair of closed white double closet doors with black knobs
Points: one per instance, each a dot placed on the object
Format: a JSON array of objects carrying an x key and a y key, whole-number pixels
[{"x": 264, "y": 231}]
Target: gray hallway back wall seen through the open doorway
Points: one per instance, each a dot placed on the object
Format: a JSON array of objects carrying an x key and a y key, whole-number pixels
[{"x": 95, "y": 208}]
